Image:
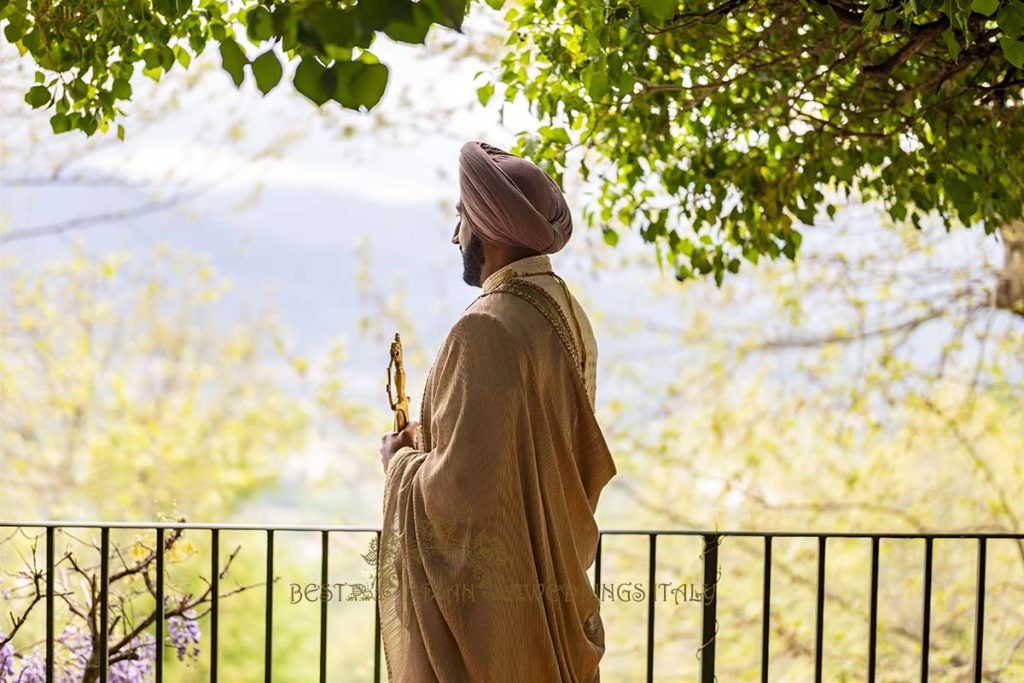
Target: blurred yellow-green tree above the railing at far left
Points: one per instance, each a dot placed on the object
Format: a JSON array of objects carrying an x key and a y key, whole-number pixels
[{"x": 122, "y": 391}]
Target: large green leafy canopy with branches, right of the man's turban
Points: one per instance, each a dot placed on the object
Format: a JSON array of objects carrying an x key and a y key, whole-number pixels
[{"x": 720, "y": 127}]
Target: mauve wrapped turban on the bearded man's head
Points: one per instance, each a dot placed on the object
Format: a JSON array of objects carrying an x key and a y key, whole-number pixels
[{"x": 508, "y": 200}]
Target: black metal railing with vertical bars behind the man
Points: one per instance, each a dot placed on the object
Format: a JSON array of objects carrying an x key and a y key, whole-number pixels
[{"x": 709, "y": 599}]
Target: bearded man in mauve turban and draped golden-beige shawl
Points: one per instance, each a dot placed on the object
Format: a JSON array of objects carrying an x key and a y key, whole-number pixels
[{"x": 490, "y": 499}]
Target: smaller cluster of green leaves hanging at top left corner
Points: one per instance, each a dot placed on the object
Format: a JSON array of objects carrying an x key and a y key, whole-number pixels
[{"x": 88, "y": 52}]
